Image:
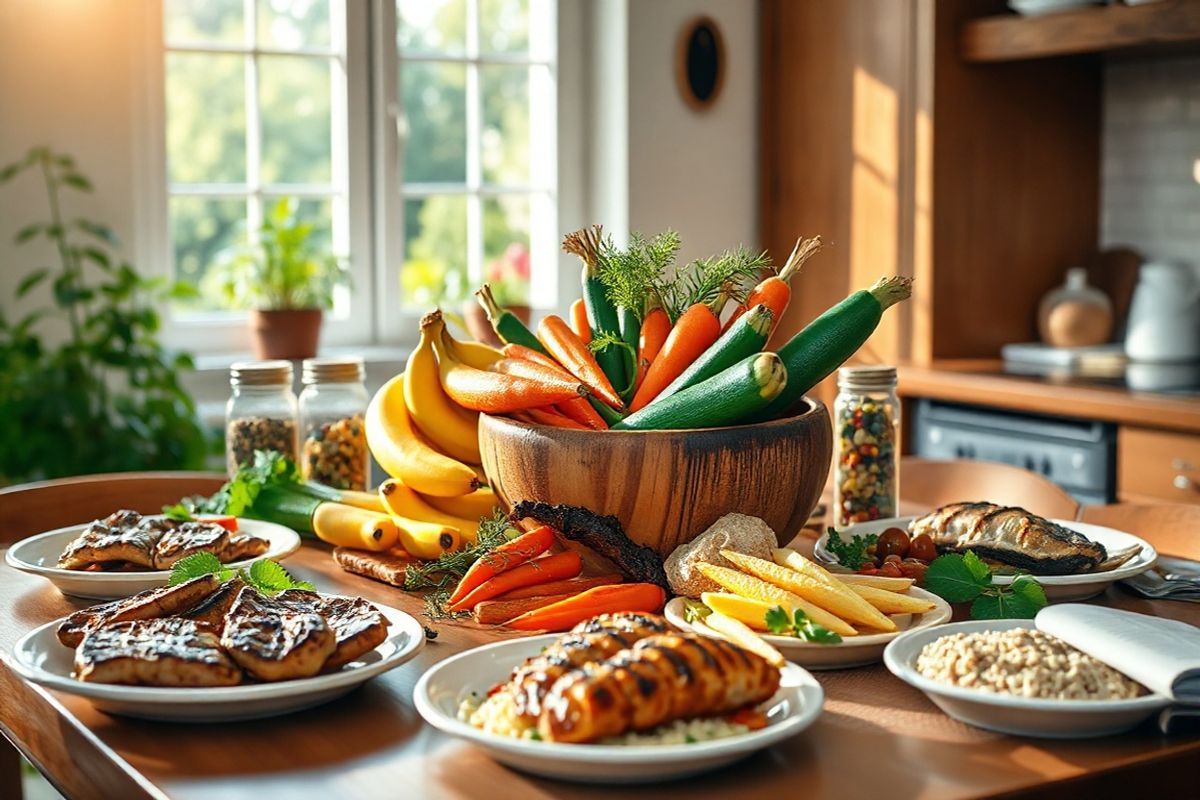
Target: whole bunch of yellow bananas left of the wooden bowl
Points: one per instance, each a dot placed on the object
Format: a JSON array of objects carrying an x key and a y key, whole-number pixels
[{"x": 430, "y": 447}]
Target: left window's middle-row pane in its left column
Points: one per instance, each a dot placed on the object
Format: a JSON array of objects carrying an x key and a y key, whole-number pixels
[{"x": 206, "y": 118}]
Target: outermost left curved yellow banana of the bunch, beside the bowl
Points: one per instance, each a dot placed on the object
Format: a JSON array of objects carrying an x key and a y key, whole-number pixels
[{"x": 405, "y": 454}]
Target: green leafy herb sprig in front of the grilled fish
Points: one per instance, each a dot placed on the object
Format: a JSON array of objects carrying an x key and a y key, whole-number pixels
[{"x": 967, "y": 579}]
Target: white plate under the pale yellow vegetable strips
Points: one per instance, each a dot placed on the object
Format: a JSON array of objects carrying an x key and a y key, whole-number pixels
[{"x": 851, "y": 652}]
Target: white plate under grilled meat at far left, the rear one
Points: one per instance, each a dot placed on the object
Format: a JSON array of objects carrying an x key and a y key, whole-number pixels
[{"x": 40, "y": 556}]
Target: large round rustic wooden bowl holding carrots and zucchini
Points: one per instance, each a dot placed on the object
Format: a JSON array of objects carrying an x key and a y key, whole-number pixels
[{"x": 667, "y": 488}]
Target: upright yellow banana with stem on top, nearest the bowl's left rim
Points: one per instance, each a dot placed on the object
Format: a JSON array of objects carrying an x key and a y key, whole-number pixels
[{"x": 449, "y": 428}]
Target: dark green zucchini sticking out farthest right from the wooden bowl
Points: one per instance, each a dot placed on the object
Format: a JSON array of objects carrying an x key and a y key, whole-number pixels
[{"x": 813, "y": 354}]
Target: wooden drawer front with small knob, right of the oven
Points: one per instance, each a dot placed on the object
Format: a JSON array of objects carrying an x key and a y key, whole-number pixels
[{"x": 1159, "y": 466}]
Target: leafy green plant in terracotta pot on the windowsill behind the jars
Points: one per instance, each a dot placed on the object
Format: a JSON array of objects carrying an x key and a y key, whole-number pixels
[{"x": 286, "y": 282}]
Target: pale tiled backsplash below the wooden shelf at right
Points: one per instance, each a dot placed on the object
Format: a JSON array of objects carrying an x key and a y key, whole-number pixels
[{"x": 1151, "y": 149}]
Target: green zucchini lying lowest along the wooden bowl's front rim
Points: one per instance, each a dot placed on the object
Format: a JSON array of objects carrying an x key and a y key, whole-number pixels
[{"x": 725, "y": 399}]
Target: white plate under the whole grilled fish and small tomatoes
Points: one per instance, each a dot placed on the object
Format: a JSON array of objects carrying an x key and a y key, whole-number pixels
[{"x": 1060, "y": 588}]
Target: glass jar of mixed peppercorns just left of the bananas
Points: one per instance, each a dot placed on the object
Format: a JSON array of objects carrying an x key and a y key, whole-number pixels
[{"x": 334, "y": 444}]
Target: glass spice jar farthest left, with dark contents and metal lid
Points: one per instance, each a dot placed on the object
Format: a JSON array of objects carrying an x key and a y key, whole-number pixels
[{"x": 262, "y": 412}]
